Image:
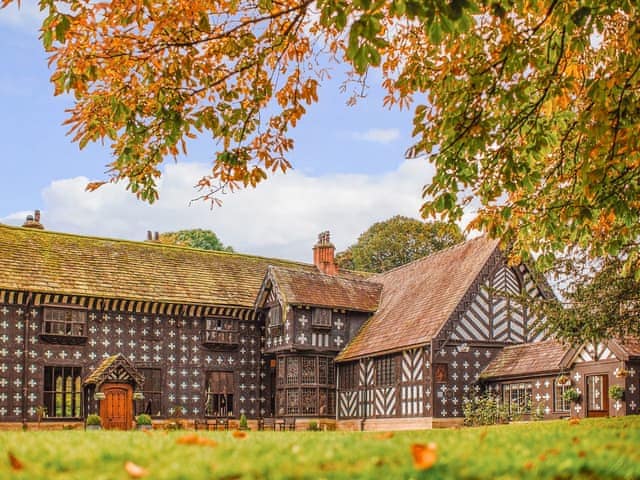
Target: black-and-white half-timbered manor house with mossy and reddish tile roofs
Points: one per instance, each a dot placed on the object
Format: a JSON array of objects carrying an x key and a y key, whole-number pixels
[{"x": 114, "y": 327}]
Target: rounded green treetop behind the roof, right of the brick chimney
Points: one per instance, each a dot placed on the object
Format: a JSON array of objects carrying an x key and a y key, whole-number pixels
[{"x": 397, "y": 241}]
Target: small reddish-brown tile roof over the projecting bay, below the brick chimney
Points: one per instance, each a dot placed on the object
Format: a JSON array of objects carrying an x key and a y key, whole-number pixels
[{"x": 317, "y": 289}]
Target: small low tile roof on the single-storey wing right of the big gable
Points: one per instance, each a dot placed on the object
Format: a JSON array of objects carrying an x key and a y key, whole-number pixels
[{"x": 527, "y": 359}]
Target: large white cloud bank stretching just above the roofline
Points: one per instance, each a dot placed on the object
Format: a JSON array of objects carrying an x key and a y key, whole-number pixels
[{"x": 280, "y": 218}]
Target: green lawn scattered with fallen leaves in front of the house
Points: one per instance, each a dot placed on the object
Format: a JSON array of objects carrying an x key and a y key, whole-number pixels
[{"x": 593, "y": 449}]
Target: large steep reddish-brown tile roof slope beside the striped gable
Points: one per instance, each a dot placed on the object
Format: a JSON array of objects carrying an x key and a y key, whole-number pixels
[{"x": 418, "y": 298}]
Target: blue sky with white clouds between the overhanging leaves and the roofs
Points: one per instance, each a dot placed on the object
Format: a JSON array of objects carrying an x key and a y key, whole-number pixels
[{"x": 349, "y": 167}]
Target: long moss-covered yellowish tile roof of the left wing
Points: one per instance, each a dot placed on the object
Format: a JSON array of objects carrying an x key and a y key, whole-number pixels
[{"x": 49, "y": 262}]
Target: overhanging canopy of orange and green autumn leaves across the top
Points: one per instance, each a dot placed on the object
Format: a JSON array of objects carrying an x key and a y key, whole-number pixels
[{"x": 528, "y": 109}]
